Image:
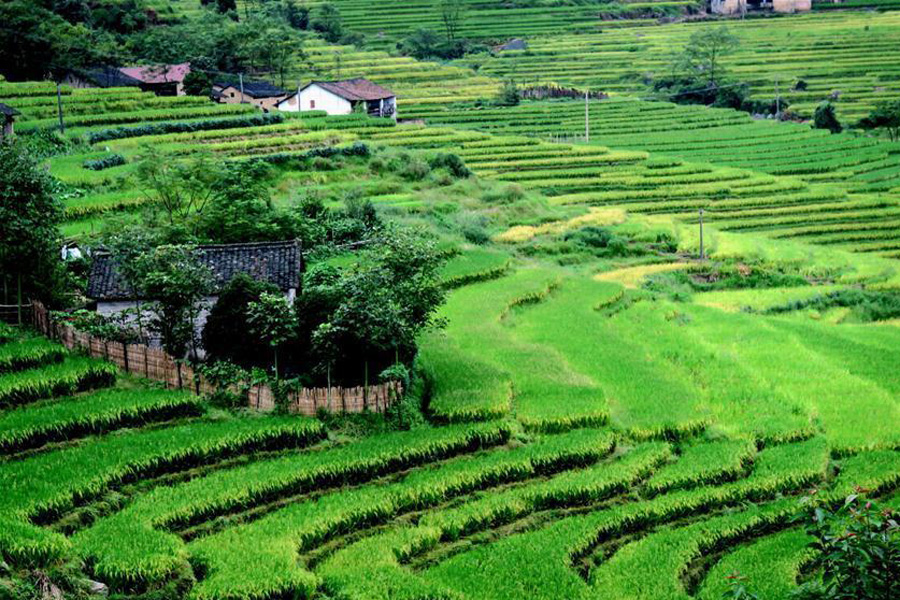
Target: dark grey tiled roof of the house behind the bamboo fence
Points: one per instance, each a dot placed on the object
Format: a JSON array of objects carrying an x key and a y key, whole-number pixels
[{"x": 278, "y": 263}]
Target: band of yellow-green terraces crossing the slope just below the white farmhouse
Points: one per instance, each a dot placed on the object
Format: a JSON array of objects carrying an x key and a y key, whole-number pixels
[{"x": 782, "y": 179}]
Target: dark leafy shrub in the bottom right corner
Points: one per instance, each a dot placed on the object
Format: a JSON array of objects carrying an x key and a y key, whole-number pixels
[{"x": 858, "y": 549}]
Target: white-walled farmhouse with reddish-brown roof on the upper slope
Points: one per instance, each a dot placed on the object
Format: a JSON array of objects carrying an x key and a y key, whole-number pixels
[{"x": 343, "y": 98}]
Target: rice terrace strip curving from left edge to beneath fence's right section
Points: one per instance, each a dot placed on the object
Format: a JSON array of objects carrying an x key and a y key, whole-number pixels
[{"x": 46, "y": 485}]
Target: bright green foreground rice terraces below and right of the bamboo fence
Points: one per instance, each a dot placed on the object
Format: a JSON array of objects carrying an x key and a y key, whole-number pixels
[{"x": 550, "y": 468}]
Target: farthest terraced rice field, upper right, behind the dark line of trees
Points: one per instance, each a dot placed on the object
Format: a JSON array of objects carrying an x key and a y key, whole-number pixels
[{"x": 852, "y": 54}]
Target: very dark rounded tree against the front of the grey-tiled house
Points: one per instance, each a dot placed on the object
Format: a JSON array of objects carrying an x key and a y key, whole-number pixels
[{"x": 227, "y": 335}]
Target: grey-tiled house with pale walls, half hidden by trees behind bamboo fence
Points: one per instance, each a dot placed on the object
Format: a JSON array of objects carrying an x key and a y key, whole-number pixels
[{"x": 278, "y": 263}]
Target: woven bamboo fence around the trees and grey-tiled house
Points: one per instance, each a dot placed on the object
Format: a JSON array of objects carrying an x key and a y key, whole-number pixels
[{"x": 157, "y": 365}]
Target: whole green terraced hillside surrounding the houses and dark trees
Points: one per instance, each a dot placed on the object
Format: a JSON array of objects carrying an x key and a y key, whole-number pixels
[{"x": 606, "y": 405}]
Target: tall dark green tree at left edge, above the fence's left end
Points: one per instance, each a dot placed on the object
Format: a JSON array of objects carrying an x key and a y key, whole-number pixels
[{"x": 29, "y": 220}]
